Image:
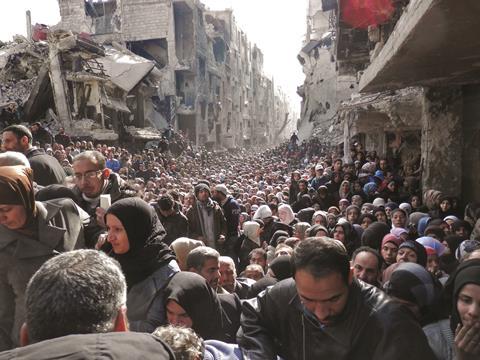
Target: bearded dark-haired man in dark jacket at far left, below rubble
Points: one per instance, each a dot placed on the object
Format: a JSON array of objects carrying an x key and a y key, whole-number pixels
[{"x": 46, "y": 169}]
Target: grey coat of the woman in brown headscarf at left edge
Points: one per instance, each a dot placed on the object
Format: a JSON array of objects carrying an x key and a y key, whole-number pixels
[{"x": 59, "y": 229}]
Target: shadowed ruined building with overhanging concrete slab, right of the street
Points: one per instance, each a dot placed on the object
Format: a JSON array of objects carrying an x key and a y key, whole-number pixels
[{"x": 412, "y": 86}]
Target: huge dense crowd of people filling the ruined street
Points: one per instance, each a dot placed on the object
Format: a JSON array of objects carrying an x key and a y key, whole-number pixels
[{"x": 289, "y": 253}]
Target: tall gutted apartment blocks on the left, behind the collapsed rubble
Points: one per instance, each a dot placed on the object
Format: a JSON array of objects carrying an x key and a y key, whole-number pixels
[{"x": 210, "y": 81}]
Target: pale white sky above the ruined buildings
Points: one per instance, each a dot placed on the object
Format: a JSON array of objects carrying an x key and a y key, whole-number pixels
[{"x": 277, "y": 27}]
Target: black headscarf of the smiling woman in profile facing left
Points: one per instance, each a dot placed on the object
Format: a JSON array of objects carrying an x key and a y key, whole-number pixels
[{"x": 145, "y": 233}]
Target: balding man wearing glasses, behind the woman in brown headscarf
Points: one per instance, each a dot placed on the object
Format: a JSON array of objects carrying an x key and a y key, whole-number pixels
[{"x": 92, "y": 178}]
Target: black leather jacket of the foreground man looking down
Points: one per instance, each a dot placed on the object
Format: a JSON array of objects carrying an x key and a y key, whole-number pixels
[{"x": 372, "y": 326}]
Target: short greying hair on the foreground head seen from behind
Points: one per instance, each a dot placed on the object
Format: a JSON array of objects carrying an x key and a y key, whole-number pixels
[{"x": 77, "y": 292}]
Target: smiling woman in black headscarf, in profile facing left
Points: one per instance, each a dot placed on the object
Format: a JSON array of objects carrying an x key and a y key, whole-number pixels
[{"x": 135, "y": 235}]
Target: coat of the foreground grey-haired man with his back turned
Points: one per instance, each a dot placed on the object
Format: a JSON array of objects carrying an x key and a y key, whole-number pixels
[{"x": 103, "y": 346}]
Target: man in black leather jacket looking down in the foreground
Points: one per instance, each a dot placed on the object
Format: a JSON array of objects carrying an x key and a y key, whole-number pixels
[{"x": 323, "y": 313}]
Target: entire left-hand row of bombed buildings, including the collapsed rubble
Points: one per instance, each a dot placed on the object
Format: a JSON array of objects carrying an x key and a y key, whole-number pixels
[{"x": 127, "y": 69}]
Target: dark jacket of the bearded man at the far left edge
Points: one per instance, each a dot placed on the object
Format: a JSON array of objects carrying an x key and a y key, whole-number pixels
[{"x": 46, "y": 169}]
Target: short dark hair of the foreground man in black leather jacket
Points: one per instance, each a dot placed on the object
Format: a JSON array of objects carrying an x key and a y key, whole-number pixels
[{"x": 321, "y": 257}]
